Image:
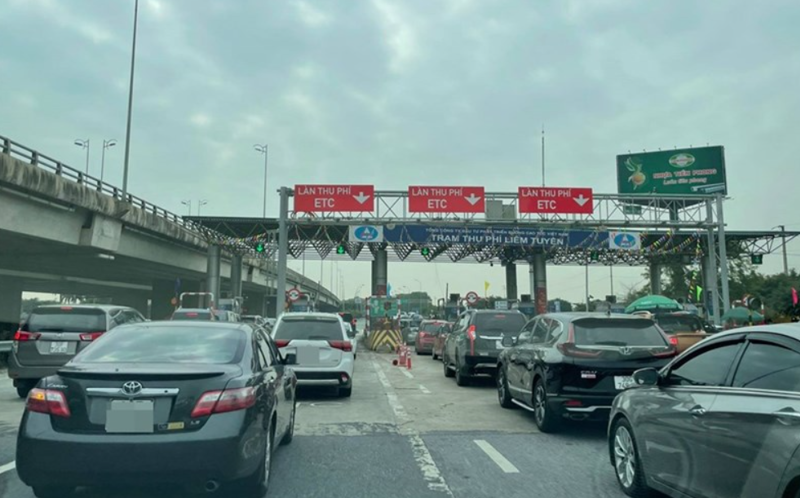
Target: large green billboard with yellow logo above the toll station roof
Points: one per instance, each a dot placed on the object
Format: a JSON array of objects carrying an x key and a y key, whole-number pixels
[{"x": 696, "y": 171}]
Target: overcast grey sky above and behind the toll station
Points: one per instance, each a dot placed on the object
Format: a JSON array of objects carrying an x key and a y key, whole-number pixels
[{"x": 397, "y": 93}]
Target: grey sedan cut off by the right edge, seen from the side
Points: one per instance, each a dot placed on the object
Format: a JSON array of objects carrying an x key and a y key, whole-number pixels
[{"x": 721, "y": 420}]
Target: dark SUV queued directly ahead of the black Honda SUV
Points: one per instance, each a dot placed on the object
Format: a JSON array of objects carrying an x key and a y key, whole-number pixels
[{"x": 476, "y": 342}]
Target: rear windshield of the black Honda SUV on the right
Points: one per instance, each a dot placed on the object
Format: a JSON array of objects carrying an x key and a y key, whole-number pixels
[{"x": 610, "y": 332}]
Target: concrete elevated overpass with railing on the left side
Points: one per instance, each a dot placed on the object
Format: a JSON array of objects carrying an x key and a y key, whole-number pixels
[{"x": 63, "y": 231}]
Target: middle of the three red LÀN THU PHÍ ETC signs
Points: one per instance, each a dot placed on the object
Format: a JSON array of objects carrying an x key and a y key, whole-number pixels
[{"x": 446, "y": 200}]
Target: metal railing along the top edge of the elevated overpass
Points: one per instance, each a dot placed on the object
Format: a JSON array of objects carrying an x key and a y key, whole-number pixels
[{"x": 36, "y": 158}]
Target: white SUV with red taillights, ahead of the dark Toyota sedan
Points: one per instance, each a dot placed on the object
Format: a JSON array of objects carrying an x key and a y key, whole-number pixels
[{"x": 324, "y": 353}]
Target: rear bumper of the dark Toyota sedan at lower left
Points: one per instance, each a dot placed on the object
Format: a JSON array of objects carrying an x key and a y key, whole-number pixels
[{"x": 222, "y": 450}]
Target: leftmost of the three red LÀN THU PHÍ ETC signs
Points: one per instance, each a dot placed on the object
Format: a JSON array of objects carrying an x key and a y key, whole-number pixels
[{"x": 334, "y": 198}]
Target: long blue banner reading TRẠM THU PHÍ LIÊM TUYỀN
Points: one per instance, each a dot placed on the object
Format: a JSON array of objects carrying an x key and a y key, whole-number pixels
[{"x": 495, "y": 236}]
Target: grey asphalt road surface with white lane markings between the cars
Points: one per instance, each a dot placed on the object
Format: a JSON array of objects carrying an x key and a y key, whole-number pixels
[{"x": 401, "y": 434}]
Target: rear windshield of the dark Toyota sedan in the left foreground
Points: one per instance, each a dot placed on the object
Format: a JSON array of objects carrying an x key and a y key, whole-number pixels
[{"x": 167, "y": 344}]
